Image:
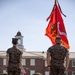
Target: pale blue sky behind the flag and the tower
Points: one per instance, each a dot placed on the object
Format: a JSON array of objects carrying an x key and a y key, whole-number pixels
[{"x": 29, "y": 17}]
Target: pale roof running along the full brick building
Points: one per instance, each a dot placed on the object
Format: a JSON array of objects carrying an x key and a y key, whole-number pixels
[{"x": 34, "y": 54}]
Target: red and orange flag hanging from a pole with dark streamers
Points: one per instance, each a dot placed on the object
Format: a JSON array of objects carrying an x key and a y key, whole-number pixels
[{"x": 56, "y": 26}]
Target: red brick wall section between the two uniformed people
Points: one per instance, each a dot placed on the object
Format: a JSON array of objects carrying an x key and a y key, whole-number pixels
[{"x": 39, "y": 66}]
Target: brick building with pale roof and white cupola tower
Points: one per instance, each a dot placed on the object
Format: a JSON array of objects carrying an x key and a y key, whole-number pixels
[{"x": 34, "y": 62}]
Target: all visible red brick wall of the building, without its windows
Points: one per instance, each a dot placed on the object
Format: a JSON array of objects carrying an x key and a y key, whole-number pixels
[{"x": 39, "y": 66}]
